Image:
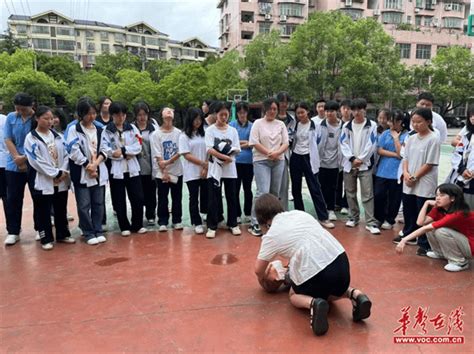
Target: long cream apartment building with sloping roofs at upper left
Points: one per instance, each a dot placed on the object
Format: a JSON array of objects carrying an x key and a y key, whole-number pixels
[{"x": 55, "y": 34}]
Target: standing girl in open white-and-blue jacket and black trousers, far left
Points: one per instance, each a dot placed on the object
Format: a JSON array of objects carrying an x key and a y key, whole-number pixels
[{"x": 48, "y": 178}]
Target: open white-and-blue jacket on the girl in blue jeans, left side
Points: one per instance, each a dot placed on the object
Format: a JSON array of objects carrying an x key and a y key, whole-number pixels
[{"x": 80, "y": 155}]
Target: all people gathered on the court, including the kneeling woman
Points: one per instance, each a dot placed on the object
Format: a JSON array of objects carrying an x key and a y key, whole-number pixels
[{"x": 394, "y": 160}]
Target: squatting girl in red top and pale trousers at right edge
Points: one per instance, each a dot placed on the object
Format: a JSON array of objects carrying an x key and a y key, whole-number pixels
[{"x": 449, "y": 227}]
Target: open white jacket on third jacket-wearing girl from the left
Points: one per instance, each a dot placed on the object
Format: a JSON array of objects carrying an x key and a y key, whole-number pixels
[{"x": 132, "y": 146}]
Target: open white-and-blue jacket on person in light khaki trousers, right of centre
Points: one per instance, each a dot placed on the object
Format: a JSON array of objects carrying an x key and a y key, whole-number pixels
[{"x": 368, "y": 145}]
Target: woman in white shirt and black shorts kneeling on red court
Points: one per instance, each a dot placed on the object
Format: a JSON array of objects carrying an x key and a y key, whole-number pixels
[{"x": 318, "y": 265}]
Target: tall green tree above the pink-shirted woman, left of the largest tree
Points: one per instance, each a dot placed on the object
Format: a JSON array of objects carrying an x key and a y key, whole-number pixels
[{"x": 266, "y": 66}]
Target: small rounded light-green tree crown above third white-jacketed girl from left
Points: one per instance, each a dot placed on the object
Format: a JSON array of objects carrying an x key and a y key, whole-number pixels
[{"x": 132, "y": 86}]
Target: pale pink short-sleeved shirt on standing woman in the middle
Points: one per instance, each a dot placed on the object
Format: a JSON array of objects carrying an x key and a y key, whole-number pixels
[{"x": 270, "y": 134}]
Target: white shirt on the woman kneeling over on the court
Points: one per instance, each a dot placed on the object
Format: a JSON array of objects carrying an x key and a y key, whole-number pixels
[{"x": 299, "y": 237}]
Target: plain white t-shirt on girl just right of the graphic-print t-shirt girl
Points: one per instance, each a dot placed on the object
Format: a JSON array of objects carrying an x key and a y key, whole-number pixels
[{"x": 196, "y": 146}]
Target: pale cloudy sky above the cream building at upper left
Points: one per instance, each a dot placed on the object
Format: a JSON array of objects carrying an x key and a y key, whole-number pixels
[{"x": 180, "y": 19}]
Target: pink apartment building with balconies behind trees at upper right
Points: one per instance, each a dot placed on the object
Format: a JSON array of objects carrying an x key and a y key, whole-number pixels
[{"x": 419, "y": 27}]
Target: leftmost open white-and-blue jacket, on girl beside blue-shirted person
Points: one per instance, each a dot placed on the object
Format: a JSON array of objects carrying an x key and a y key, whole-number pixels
[{"x": 42, "y": 170}]
